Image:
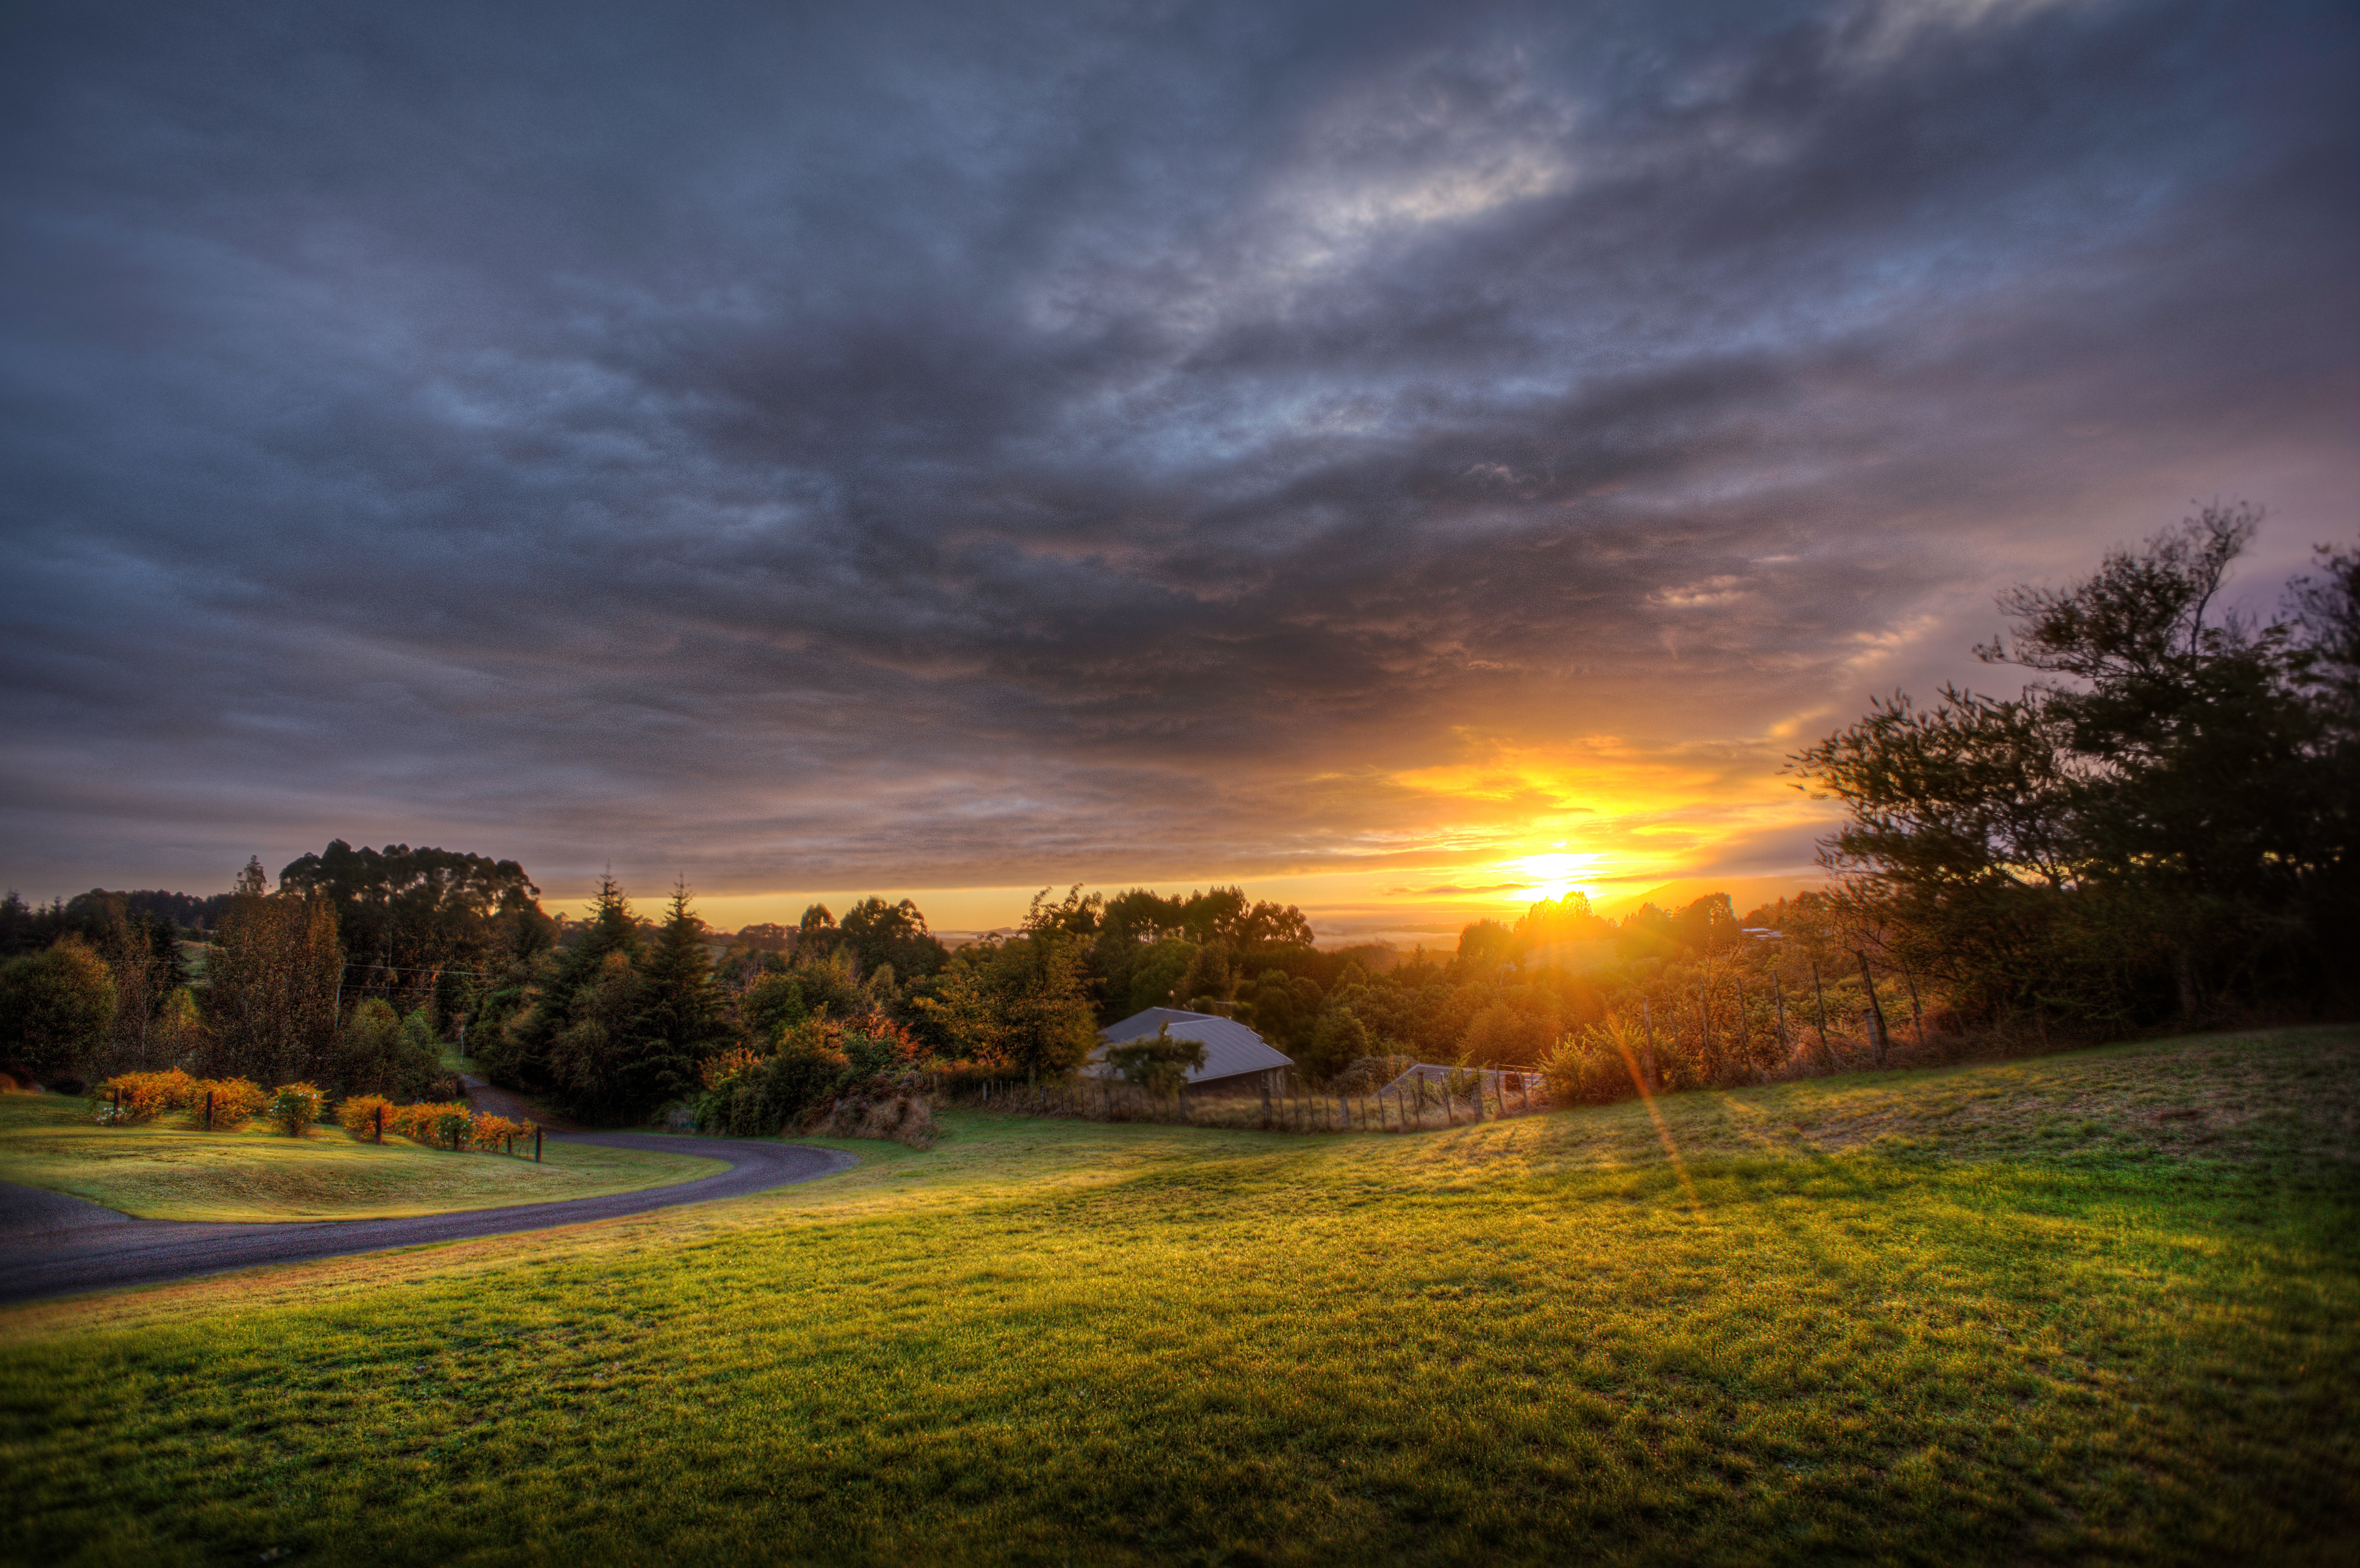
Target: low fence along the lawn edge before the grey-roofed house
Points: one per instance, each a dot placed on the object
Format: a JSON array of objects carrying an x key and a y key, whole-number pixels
[{"x": 1410, "y": 1104}]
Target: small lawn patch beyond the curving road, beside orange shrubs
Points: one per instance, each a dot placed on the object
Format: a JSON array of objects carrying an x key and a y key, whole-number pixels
[{"x": 166, "y": 1170}]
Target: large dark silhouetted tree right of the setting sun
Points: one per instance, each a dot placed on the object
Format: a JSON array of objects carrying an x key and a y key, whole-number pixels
[{"x": 2151, "y": 828}]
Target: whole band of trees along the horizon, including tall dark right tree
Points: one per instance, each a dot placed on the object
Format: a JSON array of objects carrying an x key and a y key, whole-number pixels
[{"x": 2156, "y": 830}]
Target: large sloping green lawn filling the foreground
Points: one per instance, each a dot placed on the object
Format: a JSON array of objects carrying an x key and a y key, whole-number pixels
[{"x": 2083, "y": 1309}]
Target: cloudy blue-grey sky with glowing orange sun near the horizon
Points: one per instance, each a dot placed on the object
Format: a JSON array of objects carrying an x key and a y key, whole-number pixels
[{"x": 1403, "y": 462}]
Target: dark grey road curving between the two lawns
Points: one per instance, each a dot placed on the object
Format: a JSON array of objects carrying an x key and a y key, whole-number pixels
[{"x": 55, "y": 1246}]
